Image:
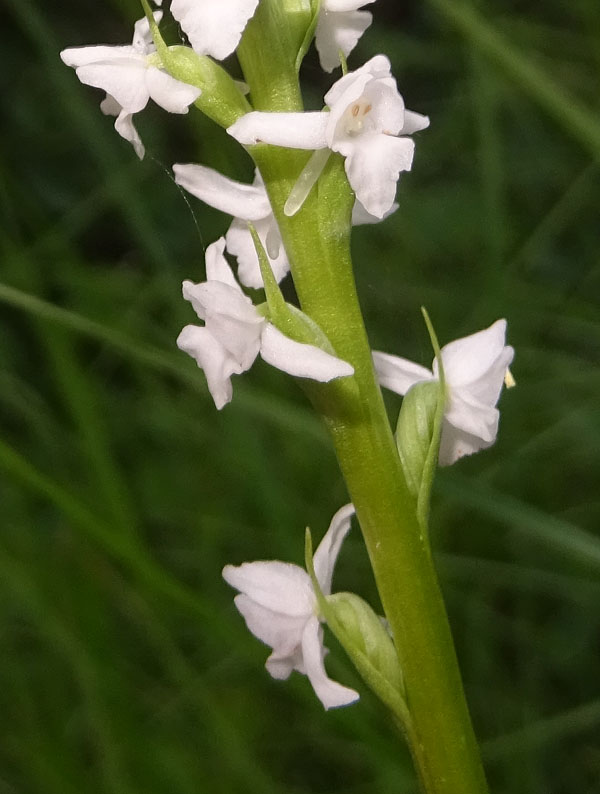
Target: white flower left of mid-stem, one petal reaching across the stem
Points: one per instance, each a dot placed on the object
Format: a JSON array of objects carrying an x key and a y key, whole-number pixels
[{"x": 235, "y": 332}]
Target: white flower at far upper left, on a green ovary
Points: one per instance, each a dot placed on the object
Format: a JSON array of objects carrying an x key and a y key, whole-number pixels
[{"x": 130, "y": 79}]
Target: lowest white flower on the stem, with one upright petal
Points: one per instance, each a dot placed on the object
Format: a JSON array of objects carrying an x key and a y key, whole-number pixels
[{"x": 279, "y": 605}]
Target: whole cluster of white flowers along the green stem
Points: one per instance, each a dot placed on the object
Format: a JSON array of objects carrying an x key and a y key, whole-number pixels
[{"x": 365, "y": 122}]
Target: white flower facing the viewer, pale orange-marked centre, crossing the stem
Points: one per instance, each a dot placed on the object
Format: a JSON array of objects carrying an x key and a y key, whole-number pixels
[{"x": 366, "y": 117}]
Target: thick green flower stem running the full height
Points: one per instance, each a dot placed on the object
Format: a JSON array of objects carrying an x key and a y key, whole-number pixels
[{"x": 317, "y": 240}]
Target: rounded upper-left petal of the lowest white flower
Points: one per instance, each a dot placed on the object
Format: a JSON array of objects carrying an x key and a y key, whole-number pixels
[{"x": 279, "y": 586}]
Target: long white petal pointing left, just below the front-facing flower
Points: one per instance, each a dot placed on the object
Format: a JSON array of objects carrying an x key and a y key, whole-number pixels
[{"x": 249, "y": 202}]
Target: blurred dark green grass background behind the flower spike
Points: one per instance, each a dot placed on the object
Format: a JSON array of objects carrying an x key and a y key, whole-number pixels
[{"x": 124, "y": 666}]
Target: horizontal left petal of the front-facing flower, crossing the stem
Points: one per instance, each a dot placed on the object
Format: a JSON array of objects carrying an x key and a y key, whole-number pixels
[{"x": 294, "y": 130}]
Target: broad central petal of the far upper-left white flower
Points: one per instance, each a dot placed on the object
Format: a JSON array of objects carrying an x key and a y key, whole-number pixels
[{"x": 124, "y": 79}]
